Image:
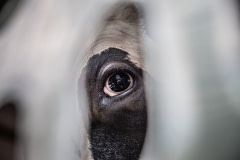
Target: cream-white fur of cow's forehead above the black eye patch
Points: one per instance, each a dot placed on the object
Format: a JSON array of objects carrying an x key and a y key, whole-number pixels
[{"x": 118, "y": 32}]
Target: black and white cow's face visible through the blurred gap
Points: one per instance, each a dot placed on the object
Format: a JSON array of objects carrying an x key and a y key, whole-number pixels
[{"x": 115, "y": 88}]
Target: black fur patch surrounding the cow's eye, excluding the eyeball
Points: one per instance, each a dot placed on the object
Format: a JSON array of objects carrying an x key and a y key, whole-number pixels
[{"x": 118, "y": 124}]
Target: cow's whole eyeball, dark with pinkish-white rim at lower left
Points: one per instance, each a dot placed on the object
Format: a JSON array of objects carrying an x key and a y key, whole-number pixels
[{"x": 118, "y": 83}]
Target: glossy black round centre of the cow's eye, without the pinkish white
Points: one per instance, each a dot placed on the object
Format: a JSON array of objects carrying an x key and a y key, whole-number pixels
[{"x": 119, "y": 82}]
